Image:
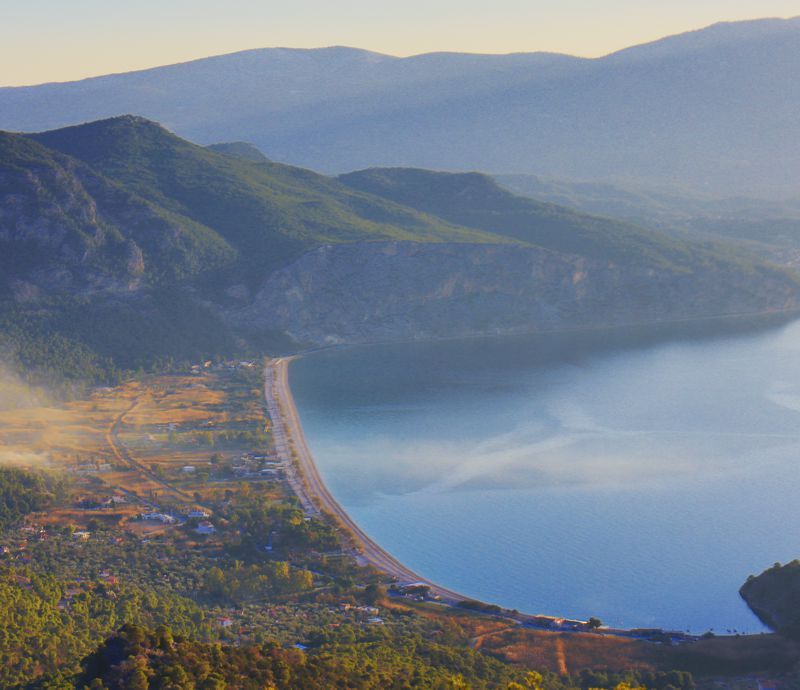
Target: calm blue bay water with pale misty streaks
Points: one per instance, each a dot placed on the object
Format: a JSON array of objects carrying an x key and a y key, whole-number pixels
[{"x": 619, "y": 474}]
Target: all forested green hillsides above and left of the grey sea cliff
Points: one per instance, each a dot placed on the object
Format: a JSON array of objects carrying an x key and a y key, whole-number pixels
[{"x": 124, "y": 247}]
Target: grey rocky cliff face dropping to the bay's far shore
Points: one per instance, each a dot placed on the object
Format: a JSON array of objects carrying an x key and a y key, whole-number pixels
[{"x": 368, "y": 292}]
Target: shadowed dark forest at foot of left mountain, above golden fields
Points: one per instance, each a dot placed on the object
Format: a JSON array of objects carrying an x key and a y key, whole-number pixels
[{"x": 66, "y": 342}]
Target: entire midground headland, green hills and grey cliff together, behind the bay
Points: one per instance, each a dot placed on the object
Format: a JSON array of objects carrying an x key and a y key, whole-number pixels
[{"x": 123, "y": 245}]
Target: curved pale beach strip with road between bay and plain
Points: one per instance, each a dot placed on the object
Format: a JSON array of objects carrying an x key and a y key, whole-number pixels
[{"x": 311, "y": 490}]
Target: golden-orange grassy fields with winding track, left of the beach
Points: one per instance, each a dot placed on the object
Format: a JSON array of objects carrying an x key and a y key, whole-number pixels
[{"x": 138, "y": 441}]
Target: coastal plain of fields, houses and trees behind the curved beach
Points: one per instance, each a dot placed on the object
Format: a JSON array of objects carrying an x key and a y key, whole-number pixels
[{"x": 176, "y": 485}]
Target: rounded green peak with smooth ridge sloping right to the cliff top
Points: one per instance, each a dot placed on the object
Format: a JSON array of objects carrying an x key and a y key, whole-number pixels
[{"x": 271, "y": 213}]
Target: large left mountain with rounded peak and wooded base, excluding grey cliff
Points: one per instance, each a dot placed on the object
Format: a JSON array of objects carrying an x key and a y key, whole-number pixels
[{"x": 107, "y": 229}]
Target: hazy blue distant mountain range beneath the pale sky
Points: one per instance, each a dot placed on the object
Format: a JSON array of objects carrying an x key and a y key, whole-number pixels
[{"x": 713, "y": 110}]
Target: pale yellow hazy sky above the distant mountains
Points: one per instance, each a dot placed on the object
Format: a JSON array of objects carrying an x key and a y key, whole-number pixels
[{"x": 59, "y": 40}]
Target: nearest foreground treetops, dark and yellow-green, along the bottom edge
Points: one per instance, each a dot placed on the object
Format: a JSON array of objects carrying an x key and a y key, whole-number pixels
[{"x": 142, "y": 659}]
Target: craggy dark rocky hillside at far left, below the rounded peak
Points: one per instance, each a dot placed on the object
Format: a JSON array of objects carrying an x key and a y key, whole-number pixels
[{"x": 75, "y": 229}]
